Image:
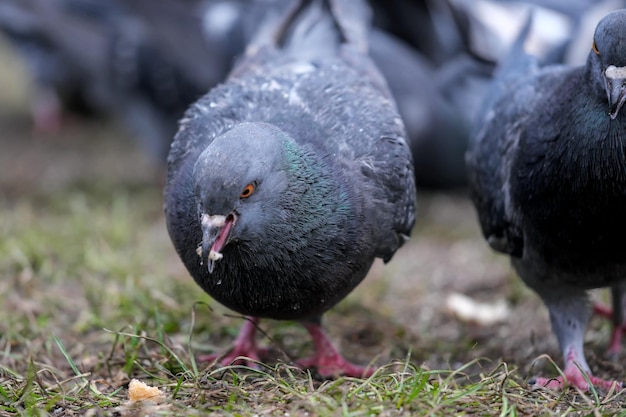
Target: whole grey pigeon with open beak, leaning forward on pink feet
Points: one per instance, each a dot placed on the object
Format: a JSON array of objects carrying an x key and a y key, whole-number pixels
[{"x": 287, "y": 180}]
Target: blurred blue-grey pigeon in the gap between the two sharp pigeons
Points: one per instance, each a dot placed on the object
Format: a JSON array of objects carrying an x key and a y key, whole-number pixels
[{"x": 436, "y": 130}]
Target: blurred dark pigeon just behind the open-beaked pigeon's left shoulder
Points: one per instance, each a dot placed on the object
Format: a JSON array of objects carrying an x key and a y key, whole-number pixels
[{"x": 187, "y": 47}]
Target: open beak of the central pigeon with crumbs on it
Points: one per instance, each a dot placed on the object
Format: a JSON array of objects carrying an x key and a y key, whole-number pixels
[{"x": 215, "y": 232}]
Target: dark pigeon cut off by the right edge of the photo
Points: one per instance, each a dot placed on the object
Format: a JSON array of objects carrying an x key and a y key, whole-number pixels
[{"x": 547, "y": 171}]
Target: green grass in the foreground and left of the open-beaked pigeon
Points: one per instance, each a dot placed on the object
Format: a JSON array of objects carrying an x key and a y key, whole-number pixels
[{"x": 93, "y": 295}]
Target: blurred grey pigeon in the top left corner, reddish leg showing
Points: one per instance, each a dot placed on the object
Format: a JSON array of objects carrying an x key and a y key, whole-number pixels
[{"x": 64, "y": 51}]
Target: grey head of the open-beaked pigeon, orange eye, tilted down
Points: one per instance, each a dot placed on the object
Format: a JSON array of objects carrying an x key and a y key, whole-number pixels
[{"x": 237, "y": 180}]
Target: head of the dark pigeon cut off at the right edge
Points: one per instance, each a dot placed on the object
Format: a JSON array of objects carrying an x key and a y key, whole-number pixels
[{"x": 608, "y": 58}]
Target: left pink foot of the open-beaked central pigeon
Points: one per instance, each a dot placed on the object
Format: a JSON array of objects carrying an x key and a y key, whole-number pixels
[{"x": 244, "y": 351}]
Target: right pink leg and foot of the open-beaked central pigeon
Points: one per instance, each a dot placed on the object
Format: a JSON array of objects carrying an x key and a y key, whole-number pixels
[{"x": 327, "y": 360}]
